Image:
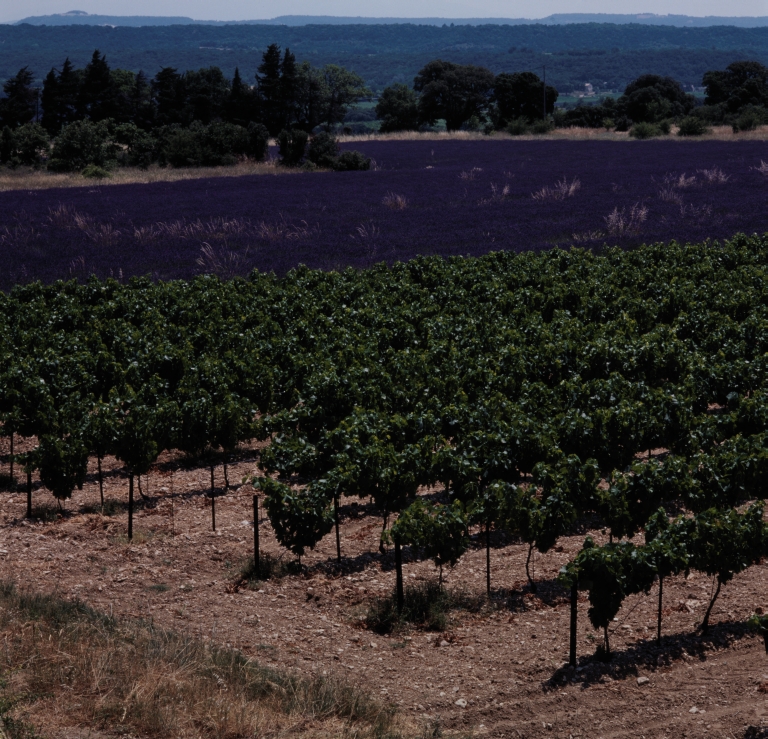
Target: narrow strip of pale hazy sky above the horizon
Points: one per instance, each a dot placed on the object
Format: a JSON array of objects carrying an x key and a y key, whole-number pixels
[{"x": 253, "y": 9}]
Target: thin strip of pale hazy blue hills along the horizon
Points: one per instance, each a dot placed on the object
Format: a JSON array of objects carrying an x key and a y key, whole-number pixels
[{"x": 79, "y": 17}]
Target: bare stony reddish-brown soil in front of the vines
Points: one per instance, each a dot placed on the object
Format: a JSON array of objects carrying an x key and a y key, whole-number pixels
[{"x": 506, "y": 660}]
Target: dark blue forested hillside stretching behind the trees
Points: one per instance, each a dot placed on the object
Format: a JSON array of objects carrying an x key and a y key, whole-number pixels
[{"x": 608, "y": 56}]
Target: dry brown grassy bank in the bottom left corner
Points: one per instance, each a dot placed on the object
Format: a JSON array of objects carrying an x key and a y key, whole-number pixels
[{"x": 65, "y": 665}]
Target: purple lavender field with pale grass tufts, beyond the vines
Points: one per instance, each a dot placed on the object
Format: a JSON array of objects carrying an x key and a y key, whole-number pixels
[{"x": 422, "y": 198}]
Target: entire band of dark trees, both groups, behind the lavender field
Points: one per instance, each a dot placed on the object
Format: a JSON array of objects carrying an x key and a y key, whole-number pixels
[{"x": 100, "y": 117}]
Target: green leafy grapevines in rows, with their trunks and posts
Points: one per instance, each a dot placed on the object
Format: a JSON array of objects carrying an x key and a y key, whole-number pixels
[{"x": 524, "y": 394}]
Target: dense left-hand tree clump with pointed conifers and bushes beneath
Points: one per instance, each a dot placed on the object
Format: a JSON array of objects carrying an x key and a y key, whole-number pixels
[{"x": 100, "y": 117}]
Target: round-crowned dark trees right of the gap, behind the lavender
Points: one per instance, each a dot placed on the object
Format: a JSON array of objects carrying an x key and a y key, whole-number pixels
[{"x": 520, "y": 102}]
